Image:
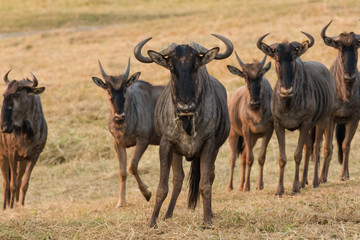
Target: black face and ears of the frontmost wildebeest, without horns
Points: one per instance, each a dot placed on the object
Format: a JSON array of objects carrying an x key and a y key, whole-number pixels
[{"x": 184, "y": 63}]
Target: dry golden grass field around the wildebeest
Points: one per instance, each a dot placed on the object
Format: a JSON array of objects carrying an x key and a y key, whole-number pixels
[{"x": 74, "y": 186}]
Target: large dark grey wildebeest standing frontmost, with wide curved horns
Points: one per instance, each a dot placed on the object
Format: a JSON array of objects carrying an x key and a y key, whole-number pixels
[{"x": 192, "y": 118}]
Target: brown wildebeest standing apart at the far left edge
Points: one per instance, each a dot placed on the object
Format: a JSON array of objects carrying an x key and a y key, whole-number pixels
[{"x": 23, "y": 136}]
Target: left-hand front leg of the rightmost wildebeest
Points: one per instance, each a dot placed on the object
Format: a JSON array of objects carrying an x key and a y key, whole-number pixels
[{"x": 328, "y": 150}]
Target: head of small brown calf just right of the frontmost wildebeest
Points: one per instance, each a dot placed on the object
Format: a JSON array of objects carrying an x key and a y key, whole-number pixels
[{"x": 253, "y": 74}]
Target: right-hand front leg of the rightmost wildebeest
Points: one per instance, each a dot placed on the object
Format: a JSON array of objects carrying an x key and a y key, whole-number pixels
[{"x": 349, "y": 134}]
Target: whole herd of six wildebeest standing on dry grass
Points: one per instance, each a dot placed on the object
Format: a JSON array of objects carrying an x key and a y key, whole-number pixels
[{"x": 190, "y": 117}]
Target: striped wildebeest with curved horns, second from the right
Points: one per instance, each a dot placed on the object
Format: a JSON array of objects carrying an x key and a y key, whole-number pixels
[{"x": 303, "y": 99}]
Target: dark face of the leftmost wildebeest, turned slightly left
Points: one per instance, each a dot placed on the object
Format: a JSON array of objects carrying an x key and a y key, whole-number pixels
[{"x": 15, "y": 106}]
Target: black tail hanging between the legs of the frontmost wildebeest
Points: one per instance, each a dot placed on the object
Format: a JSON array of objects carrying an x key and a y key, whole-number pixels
[{"x": 194, "y": 180}]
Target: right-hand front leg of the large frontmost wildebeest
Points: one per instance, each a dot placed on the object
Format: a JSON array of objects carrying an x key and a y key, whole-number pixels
[{"x": 206, "y": 164}]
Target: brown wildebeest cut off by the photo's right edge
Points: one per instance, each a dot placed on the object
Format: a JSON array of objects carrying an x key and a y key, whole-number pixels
[{"x": 347, "y": 111}]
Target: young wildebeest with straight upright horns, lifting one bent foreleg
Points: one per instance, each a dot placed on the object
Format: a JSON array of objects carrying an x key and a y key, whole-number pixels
[{"x": 131, "y": 121}]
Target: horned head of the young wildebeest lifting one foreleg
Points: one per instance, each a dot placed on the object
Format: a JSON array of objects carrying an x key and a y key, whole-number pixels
[{"x": 116, "y": 87}]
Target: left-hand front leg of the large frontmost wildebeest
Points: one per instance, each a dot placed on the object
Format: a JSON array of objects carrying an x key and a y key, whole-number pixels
[{"x": 163, "y": 188}]
